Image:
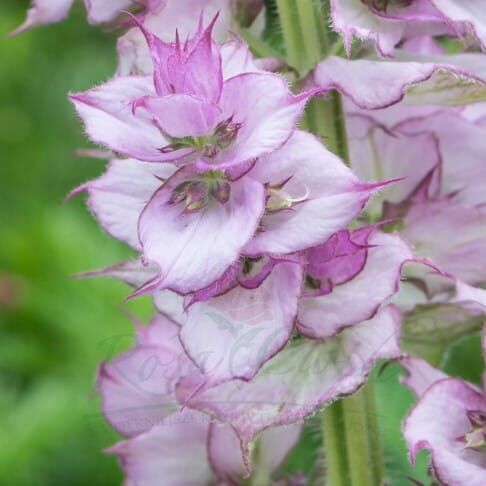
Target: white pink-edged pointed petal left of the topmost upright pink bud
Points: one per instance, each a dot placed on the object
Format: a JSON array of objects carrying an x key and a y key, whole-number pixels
[{"x": 109, "y": 119}]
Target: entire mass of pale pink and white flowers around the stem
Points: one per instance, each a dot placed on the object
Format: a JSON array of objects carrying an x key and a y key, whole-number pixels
[{"x": 274, "y": 268}]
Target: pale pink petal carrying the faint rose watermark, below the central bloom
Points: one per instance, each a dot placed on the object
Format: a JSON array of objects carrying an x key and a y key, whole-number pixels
[{"x": 233, "y": 335}]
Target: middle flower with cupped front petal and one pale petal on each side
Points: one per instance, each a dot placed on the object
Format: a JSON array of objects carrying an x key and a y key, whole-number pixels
[{"x": 195, "y": 225}]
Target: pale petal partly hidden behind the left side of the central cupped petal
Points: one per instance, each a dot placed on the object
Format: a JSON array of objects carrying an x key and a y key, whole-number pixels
[{"x": 118, "y": 197}]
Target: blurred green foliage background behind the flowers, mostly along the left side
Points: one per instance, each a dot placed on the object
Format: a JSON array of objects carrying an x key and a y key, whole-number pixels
[{"x": 54, "y": 330}]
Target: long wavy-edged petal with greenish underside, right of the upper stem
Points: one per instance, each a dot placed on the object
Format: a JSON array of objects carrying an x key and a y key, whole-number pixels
[{"x": 416, "y": 79}]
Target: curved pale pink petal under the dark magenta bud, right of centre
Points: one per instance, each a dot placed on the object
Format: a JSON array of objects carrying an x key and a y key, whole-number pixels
[{"x": 359, "y": 298}]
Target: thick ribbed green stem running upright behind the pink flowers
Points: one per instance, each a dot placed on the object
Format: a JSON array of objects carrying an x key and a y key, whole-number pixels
[{"x": 351, "y": 439}]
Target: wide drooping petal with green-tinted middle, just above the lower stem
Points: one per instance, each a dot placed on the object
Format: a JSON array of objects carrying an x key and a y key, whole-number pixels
[{"x": 301, "y": 379}]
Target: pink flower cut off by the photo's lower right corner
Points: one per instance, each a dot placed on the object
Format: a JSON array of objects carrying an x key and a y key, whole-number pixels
[{"x": 449, "y": 420}]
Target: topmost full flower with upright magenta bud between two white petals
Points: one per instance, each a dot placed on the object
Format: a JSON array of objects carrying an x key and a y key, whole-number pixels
[{"x": 193, "y": 111}]
